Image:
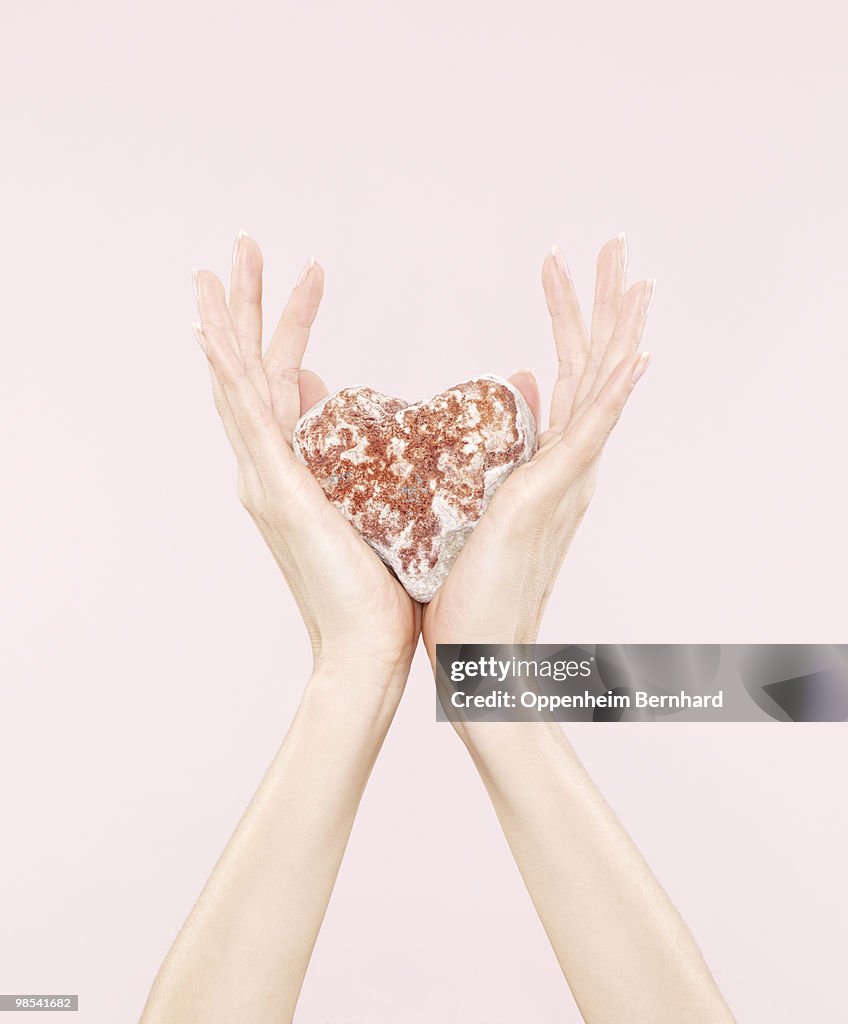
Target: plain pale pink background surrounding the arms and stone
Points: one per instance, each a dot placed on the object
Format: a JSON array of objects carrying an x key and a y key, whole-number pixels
[{"x": 429, "y": 156}]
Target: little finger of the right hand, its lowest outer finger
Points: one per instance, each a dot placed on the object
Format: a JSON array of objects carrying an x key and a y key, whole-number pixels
[{"x": 581, "y": 445}]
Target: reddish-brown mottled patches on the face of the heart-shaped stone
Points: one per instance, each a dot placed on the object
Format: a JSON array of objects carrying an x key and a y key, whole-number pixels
[{"x": 432, "y": 430}]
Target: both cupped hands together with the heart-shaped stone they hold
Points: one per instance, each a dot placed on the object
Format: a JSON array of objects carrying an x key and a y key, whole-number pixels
[{"x": 502, "y": 532}]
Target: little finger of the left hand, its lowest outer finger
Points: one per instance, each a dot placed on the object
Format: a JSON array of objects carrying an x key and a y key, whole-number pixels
[{"x": 251, "y": 415}]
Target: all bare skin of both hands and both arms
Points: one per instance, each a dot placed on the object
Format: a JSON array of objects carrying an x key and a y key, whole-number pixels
[{"x": 243, "y": 953}]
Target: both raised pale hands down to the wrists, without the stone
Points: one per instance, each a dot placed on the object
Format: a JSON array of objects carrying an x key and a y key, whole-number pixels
[{"x": 496, "y": 592}]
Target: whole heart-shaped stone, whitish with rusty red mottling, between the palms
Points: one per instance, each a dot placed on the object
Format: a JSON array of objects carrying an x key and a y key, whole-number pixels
[{"x": 415, "y": 480}]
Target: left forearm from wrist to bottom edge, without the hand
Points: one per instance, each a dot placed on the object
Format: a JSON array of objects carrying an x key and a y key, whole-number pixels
[{"x": 244, "y": 950}]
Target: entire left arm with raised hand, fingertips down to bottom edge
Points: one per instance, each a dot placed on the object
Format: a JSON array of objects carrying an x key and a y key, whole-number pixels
[{"x": 243, "y": 953}]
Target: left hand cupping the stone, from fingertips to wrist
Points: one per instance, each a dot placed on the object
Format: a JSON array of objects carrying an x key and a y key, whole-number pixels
[{"x": 354, "y": 609}]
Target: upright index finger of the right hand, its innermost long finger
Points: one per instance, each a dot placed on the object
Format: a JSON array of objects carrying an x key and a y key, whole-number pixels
[{"x": 570, "y": 334}]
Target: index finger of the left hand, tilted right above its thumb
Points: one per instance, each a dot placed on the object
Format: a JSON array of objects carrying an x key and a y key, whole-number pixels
[{"x": 289, "y": 343}]
